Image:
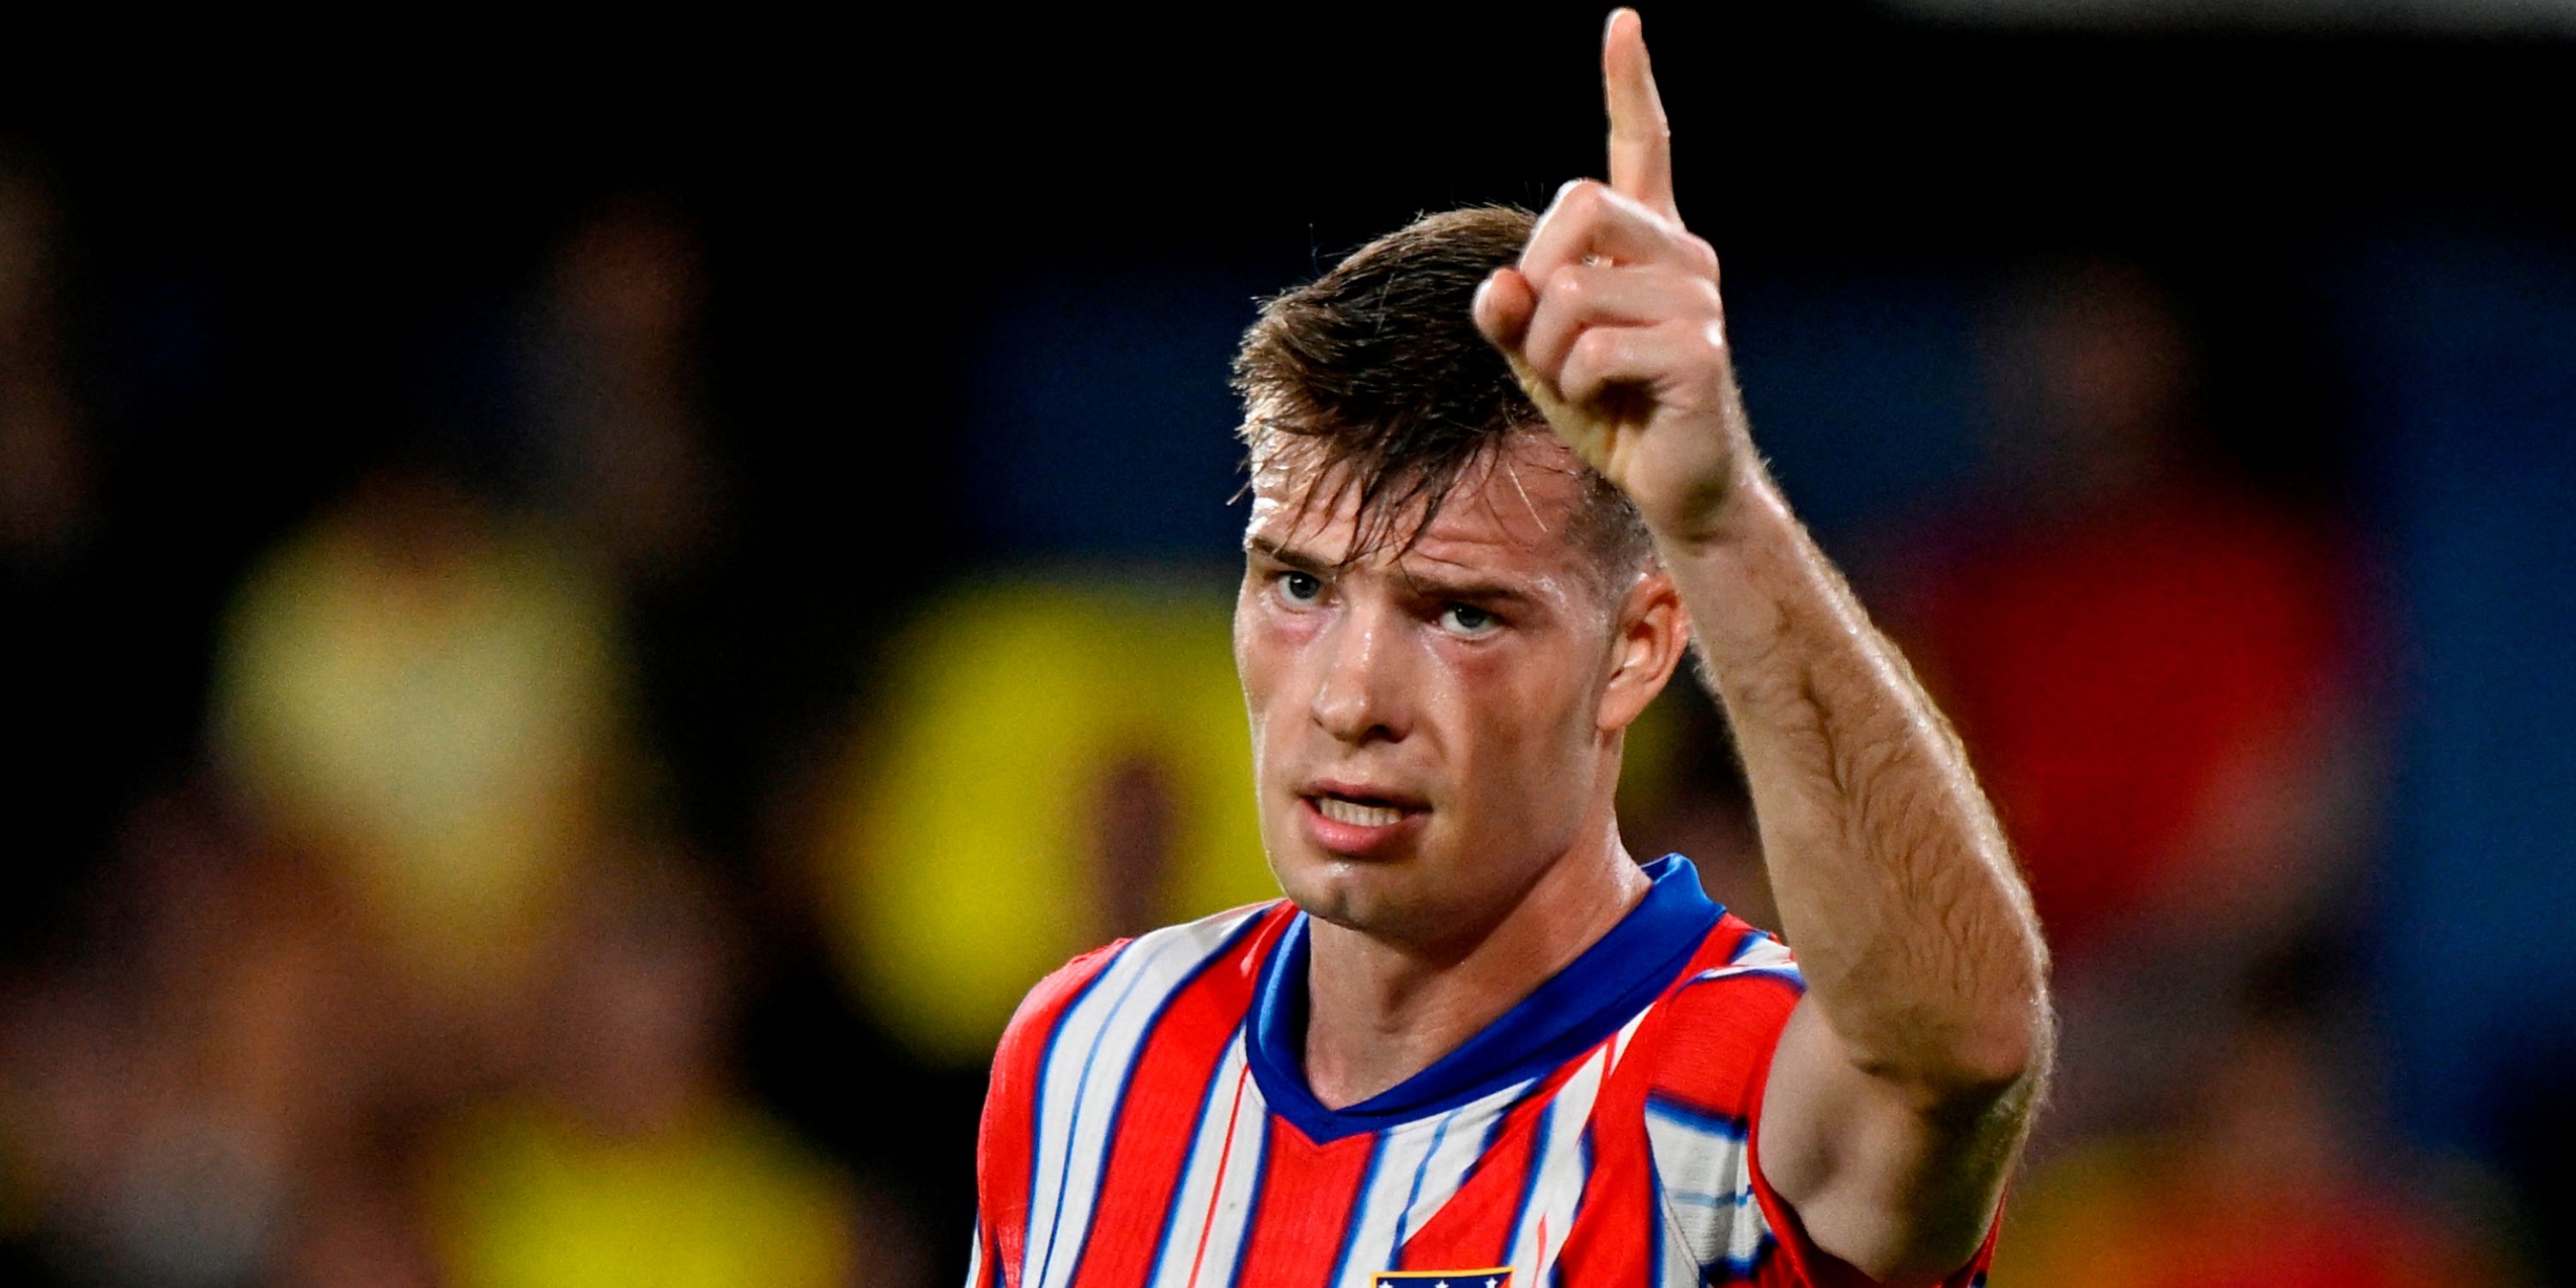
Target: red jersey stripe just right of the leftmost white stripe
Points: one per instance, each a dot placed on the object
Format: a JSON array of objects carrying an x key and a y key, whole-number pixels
[{"x": 1158, "y": 1117}]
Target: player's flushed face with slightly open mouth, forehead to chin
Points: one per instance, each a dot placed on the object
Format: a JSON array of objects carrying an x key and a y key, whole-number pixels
[{"x": 1426, "y": 728}]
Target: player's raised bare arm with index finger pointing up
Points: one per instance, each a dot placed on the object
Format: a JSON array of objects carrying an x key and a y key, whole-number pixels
[{"x": 1905, "y": 1083}]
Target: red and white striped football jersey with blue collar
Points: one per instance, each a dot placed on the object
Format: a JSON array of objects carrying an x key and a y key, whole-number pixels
[{"x": 1150, "y": 1124}]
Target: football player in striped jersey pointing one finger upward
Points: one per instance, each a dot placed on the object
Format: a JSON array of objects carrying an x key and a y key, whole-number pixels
[{"x": 1480, "y": 1045}]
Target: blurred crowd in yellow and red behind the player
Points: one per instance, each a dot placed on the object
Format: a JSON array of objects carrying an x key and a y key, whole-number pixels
[{"x": 411, "y": 954}]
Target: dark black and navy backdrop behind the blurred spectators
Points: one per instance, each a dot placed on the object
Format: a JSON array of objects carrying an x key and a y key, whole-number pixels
[{"x": 970, "y": 287}]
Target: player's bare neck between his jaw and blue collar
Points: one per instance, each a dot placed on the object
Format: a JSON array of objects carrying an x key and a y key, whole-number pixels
[{"x": 1379, "y": 1014}]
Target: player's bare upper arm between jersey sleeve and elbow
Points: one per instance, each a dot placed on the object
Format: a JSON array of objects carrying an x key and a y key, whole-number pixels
[{"x": 1882, "y": 1179}]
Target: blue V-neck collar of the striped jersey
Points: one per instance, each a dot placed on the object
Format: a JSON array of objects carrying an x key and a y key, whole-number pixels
[{"x": 1562, "y": 1019}]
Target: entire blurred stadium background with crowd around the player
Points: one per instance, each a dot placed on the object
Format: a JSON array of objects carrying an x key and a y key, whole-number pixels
[{"x": 581, "y": 625}]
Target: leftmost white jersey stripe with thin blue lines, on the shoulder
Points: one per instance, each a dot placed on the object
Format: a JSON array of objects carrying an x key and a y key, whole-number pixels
[{"x": 1086, "y": 1075}]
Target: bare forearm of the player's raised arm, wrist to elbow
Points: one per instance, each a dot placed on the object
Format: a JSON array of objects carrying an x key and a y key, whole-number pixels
[{"x": 1892, "y": 877}]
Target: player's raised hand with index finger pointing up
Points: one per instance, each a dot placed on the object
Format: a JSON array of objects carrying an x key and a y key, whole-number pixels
[{"x": 1616, "y": 328}]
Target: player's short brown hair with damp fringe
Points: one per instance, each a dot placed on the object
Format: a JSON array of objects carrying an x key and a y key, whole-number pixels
[{"x": 1382, "y": 370}]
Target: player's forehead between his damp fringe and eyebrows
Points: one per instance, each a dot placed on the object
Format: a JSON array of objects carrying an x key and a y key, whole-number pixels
[{"x": 1513, "y": 506}]
